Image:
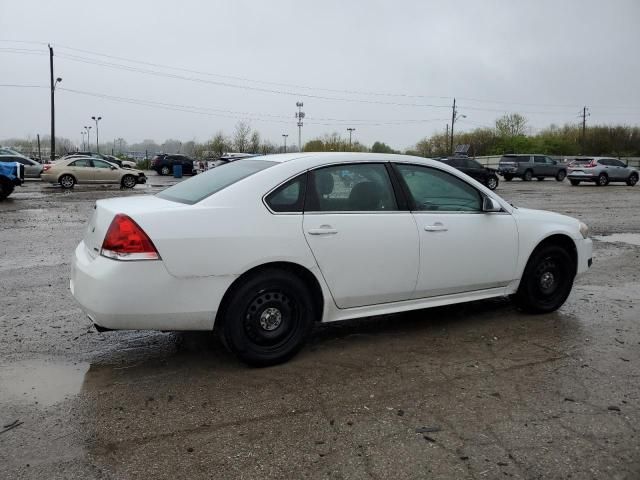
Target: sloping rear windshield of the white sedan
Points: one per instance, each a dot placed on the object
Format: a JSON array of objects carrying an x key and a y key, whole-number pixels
[{"x": 201, "y": 186}]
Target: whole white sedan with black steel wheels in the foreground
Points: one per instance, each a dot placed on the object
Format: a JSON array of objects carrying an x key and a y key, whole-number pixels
[{"x": 263, "y": 248}]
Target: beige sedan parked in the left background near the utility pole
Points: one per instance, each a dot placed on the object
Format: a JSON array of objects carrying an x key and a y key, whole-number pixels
[{"x": 68, "y": 172}]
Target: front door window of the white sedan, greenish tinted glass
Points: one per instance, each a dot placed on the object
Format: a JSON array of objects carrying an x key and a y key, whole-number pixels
[{"x": 435, "y": 190}]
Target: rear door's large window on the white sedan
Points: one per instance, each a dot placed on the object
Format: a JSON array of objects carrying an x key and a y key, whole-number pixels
[{"x": 362, "y": 187}]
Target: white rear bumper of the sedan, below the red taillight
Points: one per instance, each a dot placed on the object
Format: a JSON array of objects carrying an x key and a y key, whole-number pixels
[{"x": 142, "y": 295}]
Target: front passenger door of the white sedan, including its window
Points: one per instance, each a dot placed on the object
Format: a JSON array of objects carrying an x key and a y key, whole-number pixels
[{"x": 462, "y": 248}]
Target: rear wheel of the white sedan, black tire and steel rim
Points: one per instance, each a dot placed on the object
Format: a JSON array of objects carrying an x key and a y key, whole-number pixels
[{"x": 268, "y": 318}]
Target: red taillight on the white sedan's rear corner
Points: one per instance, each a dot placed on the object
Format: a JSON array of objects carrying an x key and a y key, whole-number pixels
[{"x": 125, "y": 240}]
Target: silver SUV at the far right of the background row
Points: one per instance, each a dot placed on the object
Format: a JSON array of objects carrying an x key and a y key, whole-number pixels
[{"x": 601, "y": 170}]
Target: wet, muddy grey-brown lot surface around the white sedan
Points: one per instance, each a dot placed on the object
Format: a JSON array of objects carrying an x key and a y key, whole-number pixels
[{"x": 473, "y": 391}]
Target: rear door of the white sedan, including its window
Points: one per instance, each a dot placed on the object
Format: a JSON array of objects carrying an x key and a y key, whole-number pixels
[{"x": 365, "y": 246}]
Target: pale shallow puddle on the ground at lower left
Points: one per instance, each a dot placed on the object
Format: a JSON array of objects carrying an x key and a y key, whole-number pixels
[{"x": 40, "y": 382}]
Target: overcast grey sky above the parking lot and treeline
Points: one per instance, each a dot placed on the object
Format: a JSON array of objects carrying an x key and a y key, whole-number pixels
[{"x": 390, "y": 69}]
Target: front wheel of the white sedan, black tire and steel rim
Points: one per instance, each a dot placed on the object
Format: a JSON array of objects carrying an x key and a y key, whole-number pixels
[{"x": 547, "y": 280}]
